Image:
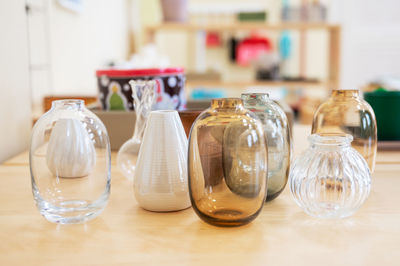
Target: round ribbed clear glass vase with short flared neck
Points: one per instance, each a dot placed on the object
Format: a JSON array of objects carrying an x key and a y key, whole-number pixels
[{"x": 330, "y": 179}]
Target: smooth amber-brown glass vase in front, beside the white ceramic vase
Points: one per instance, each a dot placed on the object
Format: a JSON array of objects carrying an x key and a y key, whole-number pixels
[{"x": 227, "y": 164}]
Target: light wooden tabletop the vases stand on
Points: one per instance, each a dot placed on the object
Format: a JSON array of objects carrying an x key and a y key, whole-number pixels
[{"x": 125, "y": 234}]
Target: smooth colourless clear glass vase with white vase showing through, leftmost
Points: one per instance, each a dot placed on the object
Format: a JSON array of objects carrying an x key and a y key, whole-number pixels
[{"x": 70, "y": 162}]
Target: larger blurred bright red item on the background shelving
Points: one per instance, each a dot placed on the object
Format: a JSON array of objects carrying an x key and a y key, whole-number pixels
[{"x": 250, "y": 48}]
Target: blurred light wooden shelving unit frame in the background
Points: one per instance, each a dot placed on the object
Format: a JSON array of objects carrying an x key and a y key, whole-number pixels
[{"x": 334, "y": 32}]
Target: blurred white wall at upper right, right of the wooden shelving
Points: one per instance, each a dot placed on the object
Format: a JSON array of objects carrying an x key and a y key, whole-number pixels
[{"x": 370, "y": 39}]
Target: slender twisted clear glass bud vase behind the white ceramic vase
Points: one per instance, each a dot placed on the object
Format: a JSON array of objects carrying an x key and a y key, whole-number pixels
[{"x": 143, "y": 94}]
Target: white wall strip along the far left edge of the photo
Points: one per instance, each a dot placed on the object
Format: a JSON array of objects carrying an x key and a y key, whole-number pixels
[{"x": 15, "y": 104}]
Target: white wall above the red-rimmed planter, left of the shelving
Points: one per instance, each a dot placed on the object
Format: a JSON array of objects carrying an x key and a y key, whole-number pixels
[{"x": 77, "y": 45}]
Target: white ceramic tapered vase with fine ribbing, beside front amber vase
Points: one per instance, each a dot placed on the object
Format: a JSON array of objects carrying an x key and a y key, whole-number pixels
[{"x": 161, "y": 181}]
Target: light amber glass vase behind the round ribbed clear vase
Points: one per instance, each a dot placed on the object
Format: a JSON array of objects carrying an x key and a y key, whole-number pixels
[{"x": 345, "y": 112}]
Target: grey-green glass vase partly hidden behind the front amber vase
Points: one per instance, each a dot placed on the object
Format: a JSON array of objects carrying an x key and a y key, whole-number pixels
[{"x": 276, "y": 129}]
